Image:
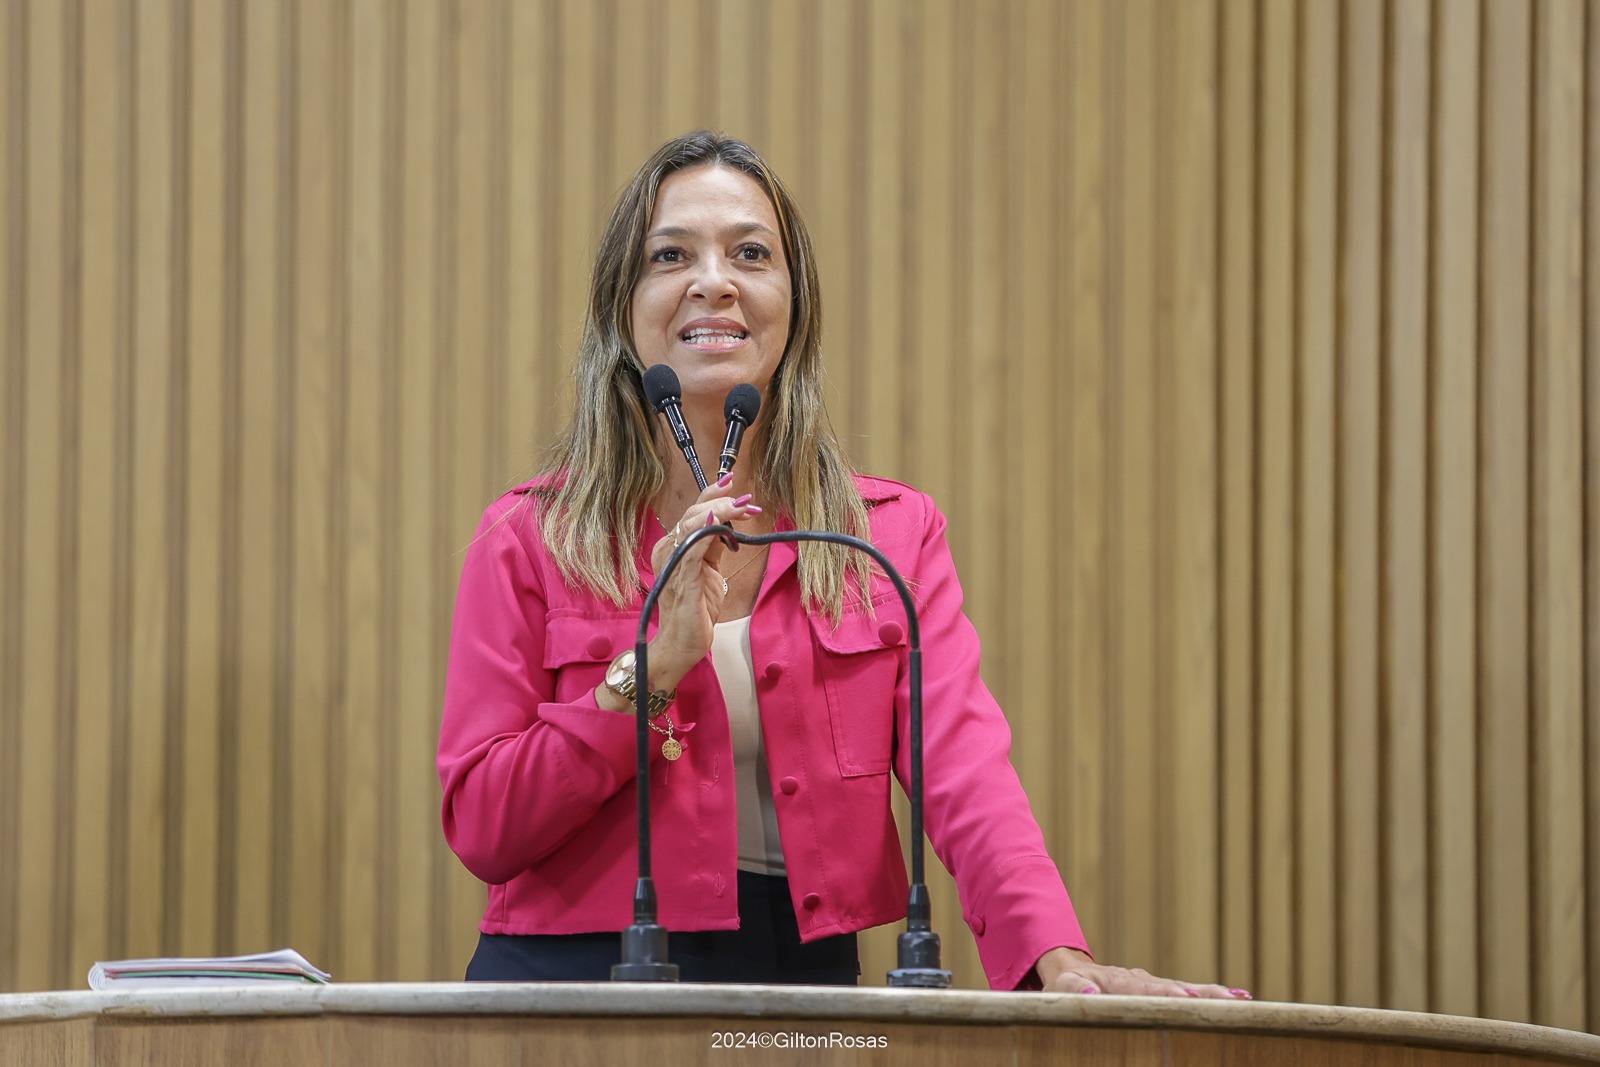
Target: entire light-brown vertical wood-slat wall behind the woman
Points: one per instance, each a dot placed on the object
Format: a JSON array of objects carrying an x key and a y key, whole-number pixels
[{"x": 1289, "y": 572}]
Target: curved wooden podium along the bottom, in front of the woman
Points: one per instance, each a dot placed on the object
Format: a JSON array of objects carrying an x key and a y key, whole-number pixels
[{"x": 660, "y": 1026}]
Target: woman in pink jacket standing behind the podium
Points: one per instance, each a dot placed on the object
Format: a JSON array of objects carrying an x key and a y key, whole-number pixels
[{"x": 778, "y": 684}]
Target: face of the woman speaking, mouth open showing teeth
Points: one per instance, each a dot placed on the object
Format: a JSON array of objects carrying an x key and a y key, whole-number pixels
[{"x": 713, "y": 297}]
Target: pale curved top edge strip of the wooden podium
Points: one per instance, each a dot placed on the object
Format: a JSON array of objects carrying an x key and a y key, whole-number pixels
[{"x": 751, "y": 1004}]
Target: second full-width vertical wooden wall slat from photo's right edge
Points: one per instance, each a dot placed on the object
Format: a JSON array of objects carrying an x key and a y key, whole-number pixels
[{"x": 1503, "y": 652}]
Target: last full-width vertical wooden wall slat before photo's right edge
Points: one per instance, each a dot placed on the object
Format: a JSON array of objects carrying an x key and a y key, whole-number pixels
[{"x": 1558, "y": 519}]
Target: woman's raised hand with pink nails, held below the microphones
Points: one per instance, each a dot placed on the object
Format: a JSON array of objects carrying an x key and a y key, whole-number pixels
[{"x": 692, "y": 601}]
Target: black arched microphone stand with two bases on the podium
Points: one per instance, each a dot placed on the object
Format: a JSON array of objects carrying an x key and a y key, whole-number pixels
[{"x": 646, "y": 943}]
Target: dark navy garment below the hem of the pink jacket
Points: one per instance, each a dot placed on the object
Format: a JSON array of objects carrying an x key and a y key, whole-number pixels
[{"x": 764, "y": 951}]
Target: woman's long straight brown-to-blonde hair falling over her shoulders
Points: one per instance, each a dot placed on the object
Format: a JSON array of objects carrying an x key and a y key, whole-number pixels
[{"x": 606, "y": 468}]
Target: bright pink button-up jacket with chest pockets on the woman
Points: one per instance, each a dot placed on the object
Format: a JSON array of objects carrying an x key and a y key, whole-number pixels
[{"x": 540, "y": 797}]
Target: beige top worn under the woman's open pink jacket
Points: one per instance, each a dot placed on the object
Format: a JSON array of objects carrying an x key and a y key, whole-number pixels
[{"x": 761, "y": 852}]
